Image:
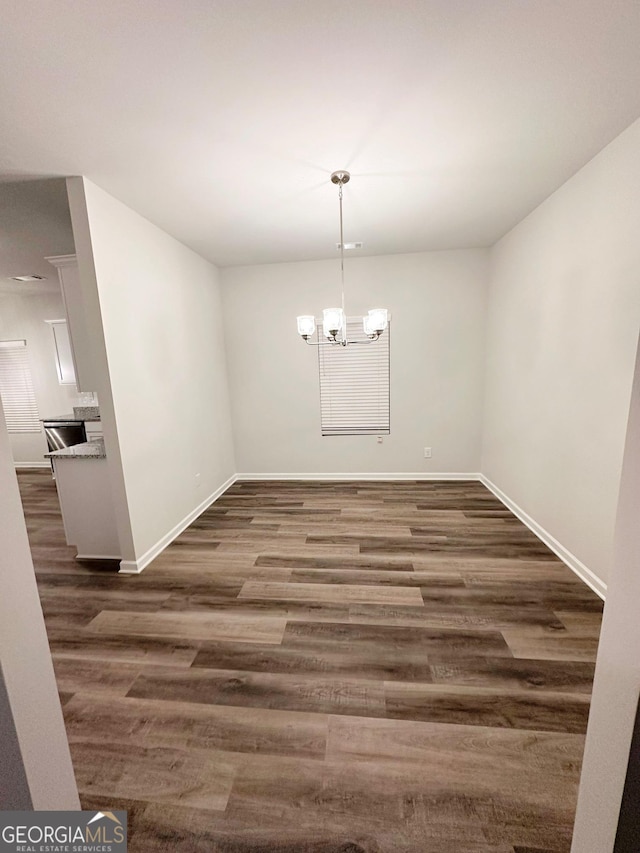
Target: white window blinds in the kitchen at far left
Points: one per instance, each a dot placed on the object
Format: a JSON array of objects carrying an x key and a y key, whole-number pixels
[{"x": 16, "y": 388}]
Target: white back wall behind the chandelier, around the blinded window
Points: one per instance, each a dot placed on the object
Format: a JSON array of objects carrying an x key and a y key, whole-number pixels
[{"x": 437, "y": 300}]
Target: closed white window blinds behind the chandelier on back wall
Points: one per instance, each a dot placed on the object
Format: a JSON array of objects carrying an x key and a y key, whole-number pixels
[{"x": 354, "y": 384}]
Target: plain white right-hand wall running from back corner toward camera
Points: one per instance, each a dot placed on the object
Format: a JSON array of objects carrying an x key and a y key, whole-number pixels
[{"x": 564, "y": 314}]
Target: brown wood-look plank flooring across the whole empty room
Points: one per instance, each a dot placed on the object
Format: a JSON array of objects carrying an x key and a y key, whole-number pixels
[{"x": 327, "y": 668}]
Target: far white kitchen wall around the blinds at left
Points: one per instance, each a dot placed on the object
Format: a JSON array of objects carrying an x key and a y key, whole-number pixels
[{"x": 22, "y": 317}]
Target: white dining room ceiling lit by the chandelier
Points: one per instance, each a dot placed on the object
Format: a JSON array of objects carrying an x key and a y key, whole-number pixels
[{"x": 221, "y": 120}]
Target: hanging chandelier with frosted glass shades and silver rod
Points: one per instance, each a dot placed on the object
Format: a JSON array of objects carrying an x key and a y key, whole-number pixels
[{"x": 334, "y": 321}]
